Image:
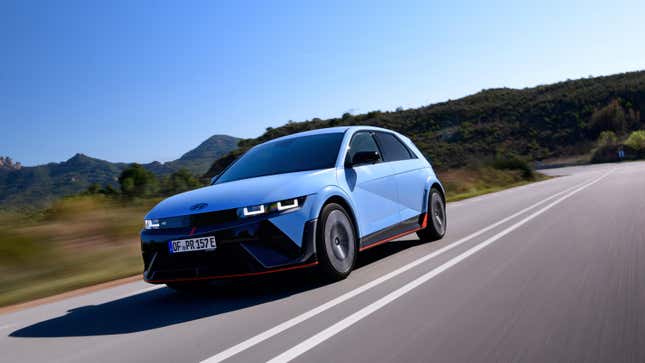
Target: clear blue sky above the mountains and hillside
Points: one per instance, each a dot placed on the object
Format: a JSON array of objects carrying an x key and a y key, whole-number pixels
[{"x": 142, "y": 81}]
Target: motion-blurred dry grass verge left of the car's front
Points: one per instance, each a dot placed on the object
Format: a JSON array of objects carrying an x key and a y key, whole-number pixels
[{"x": 78, "y": 242}]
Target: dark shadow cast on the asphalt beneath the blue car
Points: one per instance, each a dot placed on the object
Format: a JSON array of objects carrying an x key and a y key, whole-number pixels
[{"x": 164, "y": 307}]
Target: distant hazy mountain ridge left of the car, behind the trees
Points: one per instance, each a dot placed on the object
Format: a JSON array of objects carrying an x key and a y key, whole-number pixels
[{"x": 36, "y": 185}]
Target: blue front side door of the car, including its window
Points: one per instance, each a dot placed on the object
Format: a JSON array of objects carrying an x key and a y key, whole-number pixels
[{"x": 371, "y": 186}]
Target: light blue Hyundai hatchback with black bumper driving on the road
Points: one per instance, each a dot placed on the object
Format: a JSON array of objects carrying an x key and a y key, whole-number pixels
[{"x": 313, "y": 198}]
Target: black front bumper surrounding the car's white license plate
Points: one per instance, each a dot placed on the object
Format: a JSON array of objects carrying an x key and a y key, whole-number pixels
[{"x": 244, "y": 248}]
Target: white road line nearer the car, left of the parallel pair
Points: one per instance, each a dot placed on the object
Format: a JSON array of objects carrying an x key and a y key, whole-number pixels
[{"x": 257, "y": 339}]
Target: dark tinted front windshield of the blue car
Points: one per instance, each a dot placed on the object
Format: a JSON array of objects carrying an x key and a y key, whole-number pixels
[{"x": 286, "y": 156}]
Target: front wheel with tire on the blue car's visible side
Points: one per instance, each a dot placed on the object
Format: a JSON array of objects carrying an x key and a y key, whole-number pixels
[{"x": 336, "y": 242}]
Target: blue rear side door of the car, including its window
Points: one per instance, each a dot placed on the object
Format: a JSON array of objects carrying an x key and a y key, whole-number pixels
[{"x": 410, "y": 174}]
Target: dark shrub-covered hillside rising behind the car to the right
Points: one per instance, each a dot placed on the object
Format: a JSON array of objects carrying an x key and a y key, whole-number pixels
[{"x": 536, "y": 123}]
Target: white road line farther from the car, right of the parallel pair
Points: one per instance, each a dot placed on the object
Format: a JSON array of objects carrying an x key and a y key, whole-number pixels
[{"x": 316, "y": 339}]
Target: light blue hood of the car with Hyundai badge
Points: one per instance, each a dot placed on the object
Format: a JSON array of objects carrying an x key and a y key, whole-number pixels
[{"x": 244, "y": 193}]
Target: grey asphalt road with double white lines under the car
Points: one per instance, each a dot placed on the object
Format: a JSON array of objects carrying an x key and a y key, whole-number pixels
[{"x": 549, "y": 272}]
